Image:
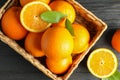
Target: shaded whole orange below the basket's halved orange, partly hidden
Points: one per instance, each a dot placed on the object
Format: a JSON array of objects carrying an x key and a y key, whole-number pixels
[{"x": 32, "y": 44}]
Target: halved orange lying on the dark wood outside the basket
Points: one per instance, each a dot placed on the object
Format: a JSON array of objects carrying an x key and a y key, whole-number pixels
[{"x": 102, "y": 63}]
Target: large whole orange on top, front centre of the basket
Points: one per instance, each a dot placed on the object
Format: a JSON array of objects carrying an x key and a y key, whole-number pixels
[{"x": 57, "y": 42}]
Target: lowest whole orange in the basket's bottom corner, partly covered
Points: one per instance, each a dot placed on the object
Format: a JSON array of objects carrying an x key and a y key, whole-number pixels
[{"x": 59, "y": 66}]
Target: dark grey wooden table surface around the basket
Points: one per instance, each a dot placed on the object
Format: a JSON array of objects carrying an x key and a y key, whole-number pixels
[{"x": 14, "y": 67}]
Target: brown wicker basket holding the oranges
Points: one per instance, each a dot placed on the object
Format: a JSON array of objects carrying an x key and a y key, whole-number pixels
[{"x": 95, "y": 26}]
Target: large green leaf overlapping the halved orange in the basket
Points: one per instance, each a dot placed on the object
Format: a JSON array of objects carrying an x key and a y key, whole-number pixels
[{"x": 52, "y": 16}]
